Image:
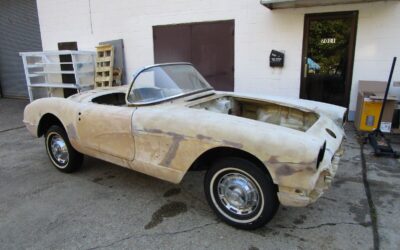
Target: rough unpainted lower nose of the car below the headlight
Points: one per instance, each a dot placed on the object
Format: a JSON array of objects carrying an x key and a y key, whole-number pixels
[{"x": 300, "y": 198}]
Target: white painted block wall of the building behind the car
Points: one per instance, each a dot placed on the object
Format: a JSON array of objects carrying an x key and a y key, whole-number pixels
[{"x": 257, "y": 31}]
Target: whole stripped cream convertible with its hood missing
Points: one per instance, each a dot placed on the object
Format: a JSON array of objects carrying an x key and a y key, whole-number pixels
[{"x": 258, "y": 152}]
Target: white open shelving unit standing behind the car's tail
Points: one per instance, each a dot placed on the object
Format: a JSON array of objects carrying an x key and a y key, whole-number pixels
[{"x": 44, "y": 74}]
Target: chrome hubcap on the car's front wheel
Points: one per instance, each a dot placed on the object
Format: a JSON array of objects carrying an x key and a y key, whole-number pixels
[{"x": 238, "y": 193}]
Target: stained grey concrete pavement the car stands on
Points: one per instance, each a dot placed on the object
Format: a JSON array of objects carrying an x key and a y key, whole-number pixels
[{"x": 106, "y": 206}]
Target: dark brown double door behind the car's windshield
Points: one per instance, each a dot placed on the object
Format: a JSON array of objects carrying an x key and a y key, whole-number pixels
[{"x": 209, "y": 46}]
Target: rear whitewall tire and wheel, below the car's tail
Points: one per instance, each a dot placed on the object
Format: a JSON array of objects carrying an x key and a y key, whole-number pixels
[{"x": 63, "y": 156}]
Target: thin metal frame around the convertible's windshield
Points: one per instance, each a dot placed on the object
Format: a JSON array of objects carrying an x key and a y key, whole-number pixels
[{"x": 166, "y": 98}]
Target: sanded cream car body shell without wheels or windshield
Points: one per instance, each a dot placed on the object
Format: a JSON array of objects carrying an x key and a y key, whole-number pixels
[{"x": 165, "y": 139}]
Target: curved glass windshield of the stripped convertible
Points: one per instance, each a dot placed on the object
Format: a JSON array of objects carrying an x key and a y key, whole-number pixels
[{"x": 164, "y": 82}]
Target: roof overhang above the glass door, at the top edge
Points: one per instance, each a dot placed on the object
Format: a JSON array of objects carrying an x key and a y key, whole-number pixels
[{"x": 284, "y": 4}]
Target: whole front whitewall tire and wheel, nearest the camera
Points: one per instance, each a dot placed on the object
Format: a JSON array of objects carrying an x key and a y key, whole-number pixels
[{"x": 240, "y": 193}]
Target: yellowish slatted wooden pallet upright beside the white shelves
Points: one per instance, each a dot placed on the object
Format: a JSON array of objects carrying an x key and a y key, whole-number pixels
[{"x": 104, "y": 66}]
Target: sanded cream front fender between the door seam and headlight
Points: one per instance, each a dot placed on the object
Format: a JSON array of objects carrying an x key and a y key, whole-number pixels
[{"x": 179, "y": 135}]
